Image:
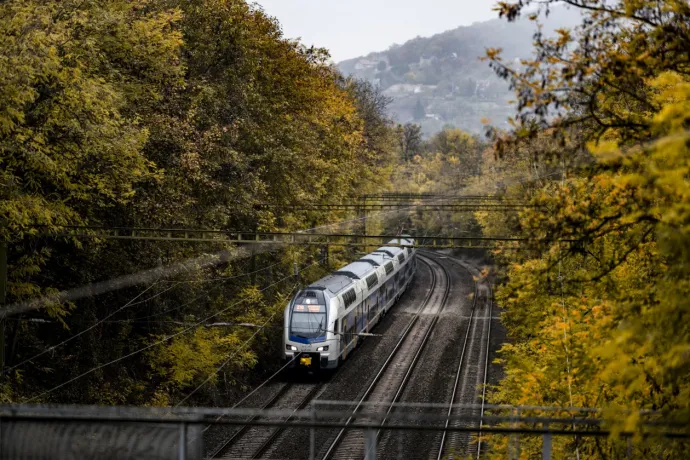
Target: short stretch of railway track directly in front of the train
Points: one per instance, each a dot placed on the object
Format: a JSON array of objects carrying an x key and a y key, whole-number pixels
[{"x": 254, "y": 441}]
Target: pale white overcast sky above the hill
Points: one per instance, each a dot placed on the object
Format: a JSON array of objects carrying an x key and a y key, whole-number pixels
[{"x": 352, "y": 28}]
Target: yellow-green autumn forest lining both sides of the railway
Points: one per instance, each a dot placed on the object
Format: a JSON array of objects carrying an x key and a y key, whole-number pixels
[{"x": 190, "y": 114}]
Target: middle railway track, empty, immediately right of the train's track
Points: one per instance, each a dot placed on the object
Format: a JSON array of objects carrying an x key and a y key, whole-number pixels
[{"x": 396, "y": 370}]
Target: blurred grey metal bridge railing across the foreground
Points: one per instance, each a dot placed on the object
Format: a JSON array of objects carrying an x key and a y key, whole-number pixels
[{"x": 89, "y": 432}]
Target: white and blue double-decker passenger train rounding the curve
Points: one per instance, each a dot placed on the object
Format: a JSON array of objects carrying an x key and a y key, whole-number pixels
[{"x": 325, "y": 321}]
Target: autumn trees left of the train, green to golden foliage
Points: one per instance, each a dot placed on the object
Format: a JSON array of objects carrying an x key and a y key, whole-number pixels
[{"x": 174, "y": 114}]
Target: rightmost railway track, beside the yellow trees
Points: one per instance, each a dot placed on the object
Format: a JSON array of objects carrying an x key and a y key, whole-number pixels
[{"x": 472, "y": 371}]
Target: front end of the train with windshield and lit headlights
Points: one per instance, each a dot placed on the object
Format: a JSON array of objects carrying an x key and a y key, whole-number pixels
[{"x": 309, "y": 342}]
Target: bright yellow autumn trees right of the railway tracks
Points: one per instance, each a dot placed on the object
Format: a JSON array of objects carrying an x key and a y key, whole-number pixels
[{"x": 596, "y": 306}]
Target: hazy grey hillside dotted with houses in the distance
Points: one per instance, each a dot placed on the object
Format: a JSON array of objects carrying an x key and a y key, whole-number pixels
[{"x": 443, "y": 74}]
